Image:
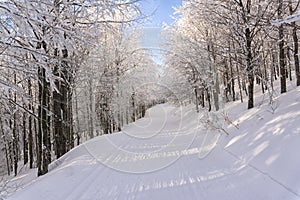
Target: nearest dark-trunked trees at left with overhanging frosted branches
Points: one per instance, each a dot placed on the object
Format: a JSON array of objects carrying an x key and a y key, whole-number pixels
[{"x": 43, "y": 45}]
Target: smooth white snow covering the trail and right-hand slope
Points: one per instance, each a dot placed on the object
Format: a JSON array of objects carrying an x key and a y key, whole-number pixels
[{"x": 169, "y": 154}]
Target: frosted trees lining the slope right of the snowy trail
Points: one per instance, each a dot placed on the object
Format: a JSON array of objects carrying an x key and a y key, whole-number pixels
[{"x": 221, "y": 49}]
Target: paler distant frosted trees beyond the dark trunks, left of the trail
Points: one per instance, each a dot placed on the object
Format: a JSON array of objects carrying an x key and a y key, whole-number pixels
[{"x": 106, "y": 89}]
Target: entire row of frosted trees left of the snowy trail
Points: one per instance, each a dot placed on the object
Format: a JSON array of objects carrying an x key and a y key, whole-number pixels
[{"x": 65, "y": 71}]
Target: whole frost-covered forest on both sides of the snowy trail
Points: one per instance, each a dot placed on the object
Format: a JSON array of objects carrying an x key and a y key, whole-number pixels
[{"x": 71, "y": 70}]
